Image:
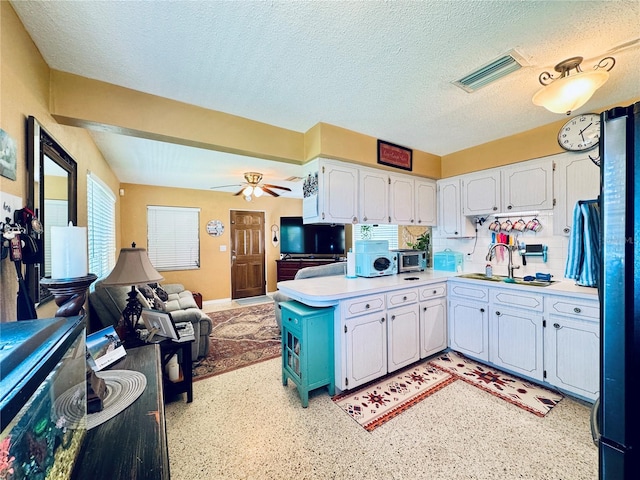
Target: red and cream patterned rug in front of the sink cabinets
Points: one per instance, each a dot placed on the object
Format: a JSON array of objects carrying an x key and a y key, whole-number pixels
[{"x": 524, "y": 394}]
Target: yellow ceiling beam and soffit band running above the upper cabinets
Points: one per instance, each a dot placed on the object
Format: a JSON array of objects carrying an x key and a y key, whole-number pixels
[{"x": 84, "y": 102}]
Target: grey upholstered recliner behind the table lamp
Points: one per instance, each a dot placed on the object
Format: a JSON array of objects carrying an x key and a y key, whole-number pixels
[{"x": 107, "y": 302}]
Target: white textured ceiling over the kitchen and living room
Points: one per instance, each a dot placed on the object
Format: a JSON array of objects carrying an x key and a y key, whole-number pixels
[{"x": 379, "y": 68}]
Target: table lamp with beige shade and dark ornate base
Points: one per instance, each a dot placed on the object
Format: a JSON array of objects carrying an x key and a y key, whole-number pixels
[{"x": 133, "y": 268}]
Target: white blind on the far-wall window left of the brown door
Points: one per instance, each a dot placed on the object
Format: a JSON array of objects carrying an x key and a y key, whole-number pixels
[{"x": 173, "y": 240}]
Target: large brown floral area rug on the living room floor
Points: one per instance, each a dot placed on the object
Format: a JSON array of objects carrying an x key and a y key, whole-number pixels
[{"x": 240, "y": 337}]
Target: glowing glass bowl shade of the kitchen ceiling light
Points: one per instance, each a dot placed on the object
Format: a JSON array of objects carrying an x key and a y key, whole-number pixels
[{"x": 571, "y": 92}]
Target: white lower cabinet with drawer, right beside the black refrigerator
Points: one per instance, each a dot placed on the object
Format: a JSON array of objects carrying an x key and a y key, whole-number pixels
[{"x": 572, "y": 346}]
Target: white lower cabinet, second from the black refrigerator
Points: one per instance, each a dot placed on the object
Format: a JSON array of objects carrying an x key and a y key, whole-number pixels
[{"x": 516, "y": 332}]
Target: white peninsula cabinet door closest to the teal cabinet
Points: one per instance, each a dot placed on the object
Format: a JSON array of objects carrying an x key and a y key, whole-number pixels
[{"x": 366, "y": 349}]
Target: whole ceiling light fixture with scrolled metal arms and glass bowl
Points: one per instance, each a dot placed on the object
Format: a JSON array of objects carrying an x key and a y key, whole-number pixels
[{"x": 570, "y": 91}]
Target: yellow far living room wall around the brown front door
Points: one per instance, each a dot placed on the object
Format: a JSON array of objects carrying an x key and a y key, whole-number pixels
[{"x": 213, "y": 278}]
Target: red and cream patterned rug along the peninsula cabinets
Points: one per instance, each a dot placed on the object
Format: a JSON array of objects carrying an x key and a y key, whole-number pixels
[{"x": 380, "y": 401}]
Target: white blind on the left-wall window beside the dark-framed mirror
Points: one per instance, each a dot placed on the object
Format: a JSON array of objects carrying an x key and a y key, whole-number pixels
[{"x": 101, "y": 227}]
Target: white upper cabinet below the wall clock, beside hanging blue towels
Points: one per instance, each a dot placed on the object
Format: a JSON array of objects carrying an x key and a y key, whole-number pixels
[{"x": 576, "y": 178}]
